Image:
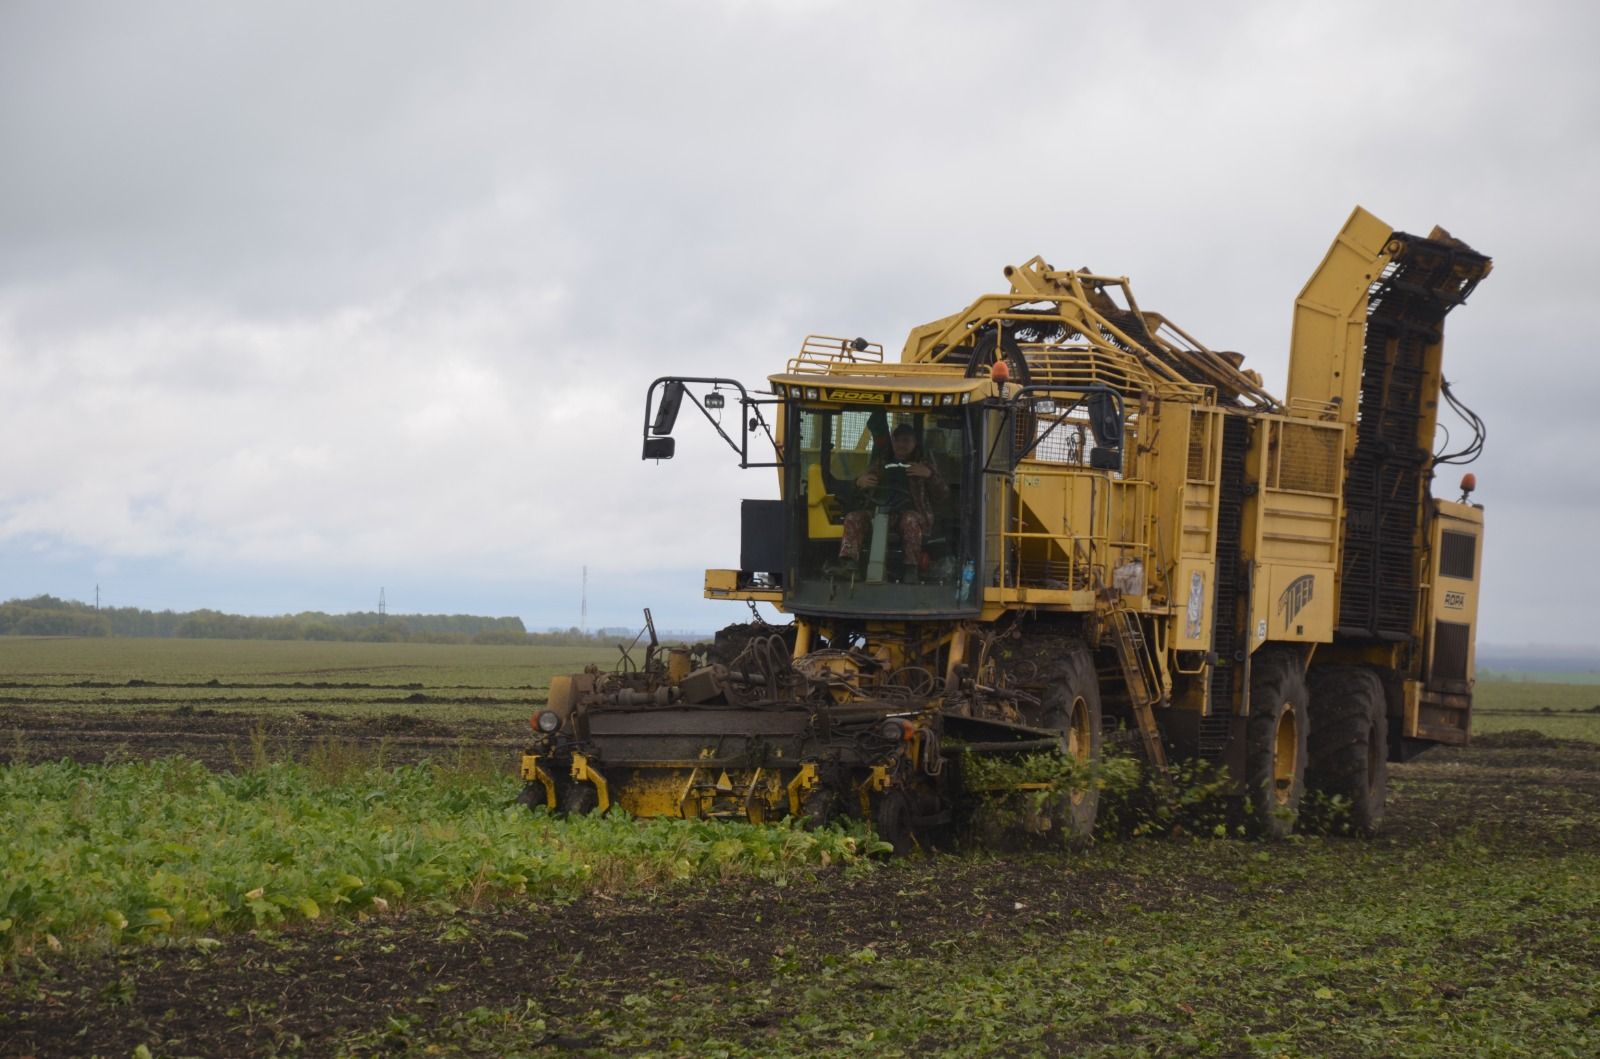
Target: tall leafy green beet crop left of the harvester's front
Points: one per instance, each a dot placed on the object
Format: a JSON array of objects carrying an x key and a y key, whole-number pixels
[{"x": 167, "y": 847}]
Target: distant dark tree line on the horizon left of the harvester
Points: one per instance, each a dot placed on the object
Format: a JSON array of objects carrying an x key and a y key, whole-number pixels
[{"x": 49, "y": 617}]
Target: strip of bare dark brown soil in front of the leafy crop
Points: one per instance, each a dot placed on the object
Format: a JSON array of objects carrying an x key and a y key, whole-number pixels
[{"x": 306, "y": 989}]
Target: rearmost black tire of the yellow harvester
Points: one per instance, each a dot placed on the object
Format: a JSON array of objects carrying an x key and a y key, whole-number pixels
[{"x": 1350, "y": 741}]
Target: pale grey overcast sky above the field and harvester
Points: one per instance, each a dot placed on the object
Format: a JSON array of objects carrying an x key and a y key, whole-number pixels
[{"x": 302, "y": 302}]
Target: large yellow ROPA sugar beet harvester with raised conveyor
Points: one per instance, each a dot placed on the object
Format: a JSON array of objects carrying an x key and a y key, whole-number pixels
[{"x": 1062, "y": 516}]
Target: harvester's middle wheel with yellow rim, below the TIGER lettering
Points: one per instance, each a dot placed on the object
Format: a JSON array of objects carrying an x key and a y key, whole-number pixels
[{"x": 1276, "y": 743}]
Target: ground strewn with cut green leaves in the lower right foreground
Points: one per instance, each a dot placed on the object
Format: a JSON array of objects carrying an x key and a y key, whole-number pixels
[{"x": 1340, "y": 954}]
